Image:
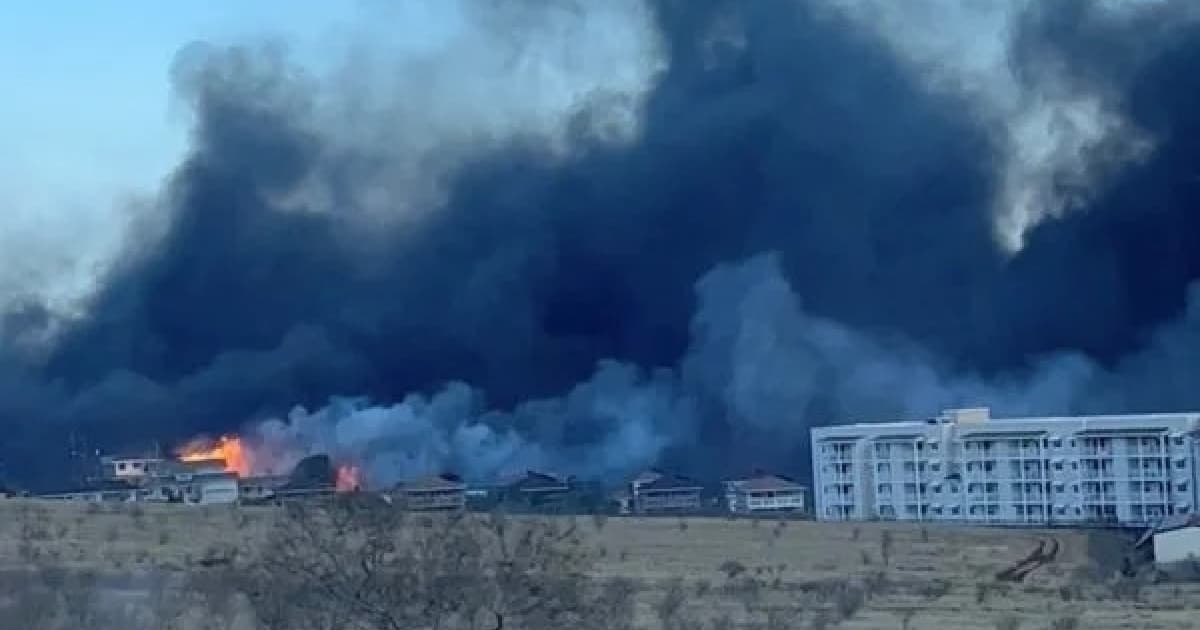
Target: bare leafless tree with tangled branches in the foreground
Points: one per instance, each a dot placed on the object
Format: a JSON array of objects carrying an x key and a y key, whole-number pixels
[{"x": 362, "y": 565}]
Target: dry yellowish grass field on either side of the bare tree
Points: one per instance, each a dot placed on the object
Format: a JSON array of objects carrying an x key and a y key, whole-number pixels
[{"x": 934, "y": 578}]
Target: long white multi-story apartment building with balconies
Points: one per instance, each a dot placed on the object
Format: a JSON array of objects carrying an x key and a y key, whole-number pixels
[{"x": 967, "y": 466}]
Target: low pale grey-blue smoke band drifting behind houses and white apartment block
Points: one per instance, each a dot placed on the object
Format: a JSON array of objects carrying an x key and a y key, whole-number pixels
[{"x": 758, "y": 362}]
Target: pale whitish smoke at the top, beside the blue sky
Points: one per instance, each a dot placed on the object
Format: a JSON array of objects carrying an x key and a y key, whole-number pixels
[{"x": 427, "y": 86}]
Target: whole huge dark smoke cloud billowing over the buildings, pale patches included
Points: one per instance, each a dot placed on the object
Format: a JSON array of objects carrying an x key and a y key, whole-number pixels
[{"x": 310, "y": 249}]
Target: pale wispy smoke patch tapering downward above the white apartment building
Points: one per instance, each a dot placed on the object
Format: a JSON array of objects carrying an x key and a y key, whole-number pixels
[{"x": 1058, "y": 139}]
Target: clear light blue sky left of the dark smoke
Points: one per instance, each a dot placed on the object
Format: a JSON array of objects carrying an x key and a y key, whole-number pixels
[{"x": 89, "y": 124}]
